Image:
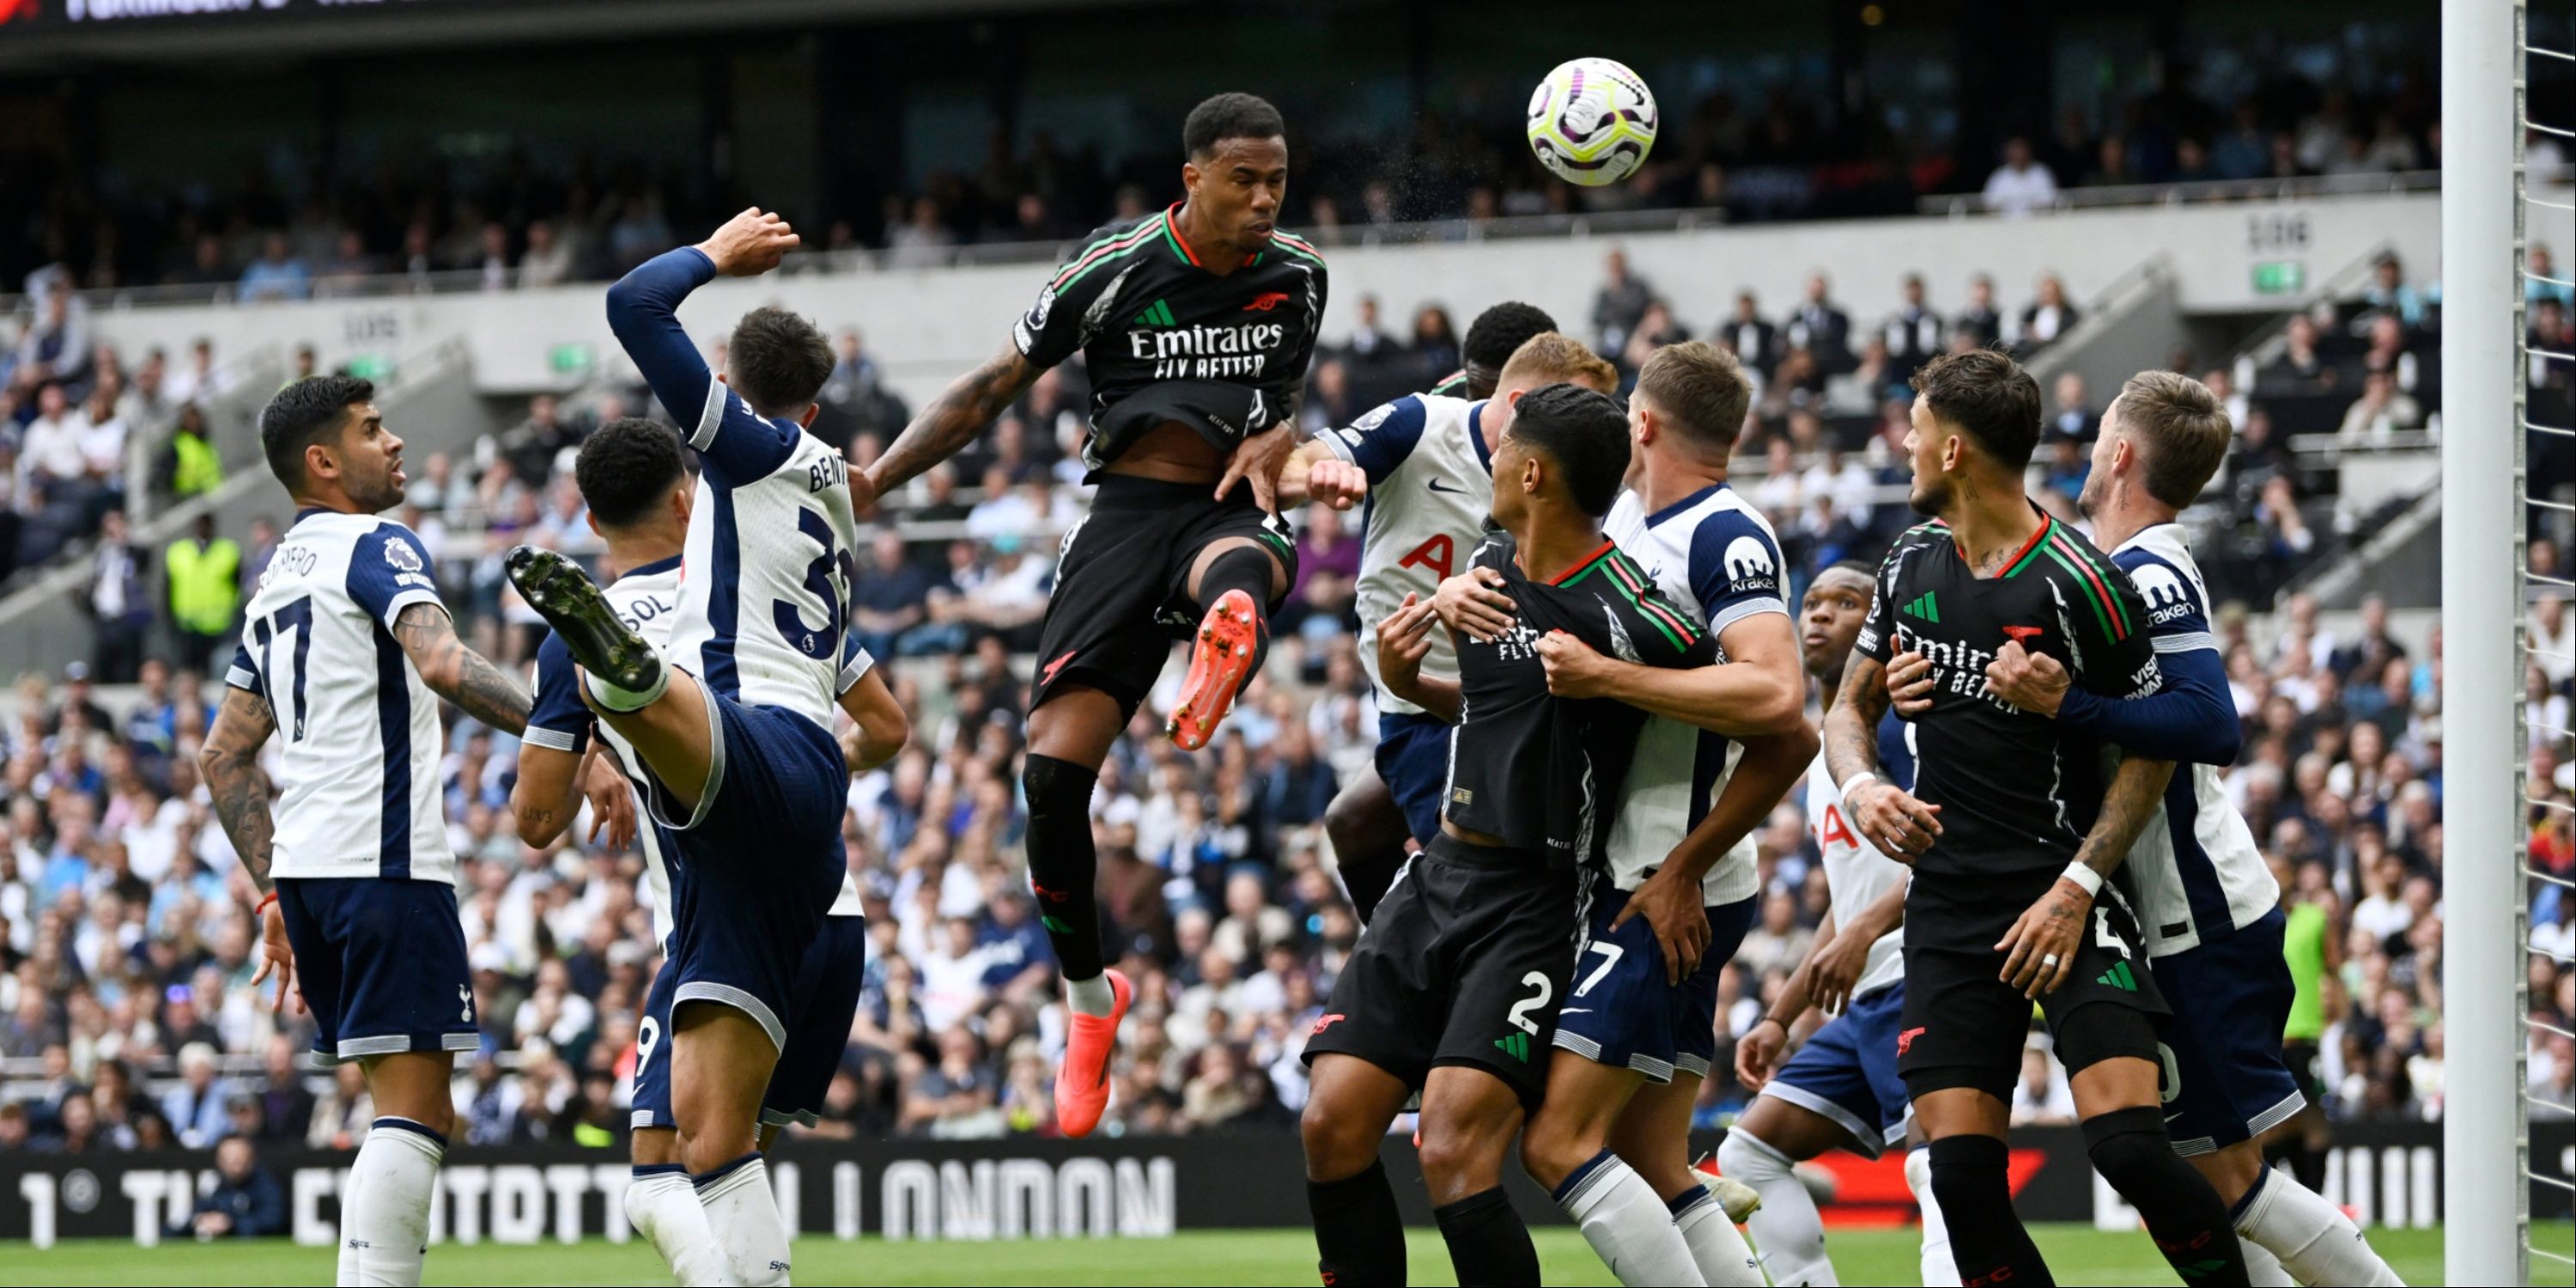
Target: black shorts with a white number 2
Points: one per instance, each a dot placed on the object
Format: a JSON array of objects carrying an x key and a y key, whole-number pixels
[{"x": 1462, "y": 965}]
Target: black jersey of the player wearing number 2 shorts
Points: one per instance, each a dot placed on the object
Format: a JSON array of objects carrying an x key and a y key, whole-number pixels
[{"x": 1539, "y": 772}]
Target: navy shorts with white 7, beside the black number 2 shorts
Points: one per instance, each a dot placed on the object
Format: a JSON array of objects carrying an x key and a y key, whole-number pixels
[{"x": 1627, "y": 1016}]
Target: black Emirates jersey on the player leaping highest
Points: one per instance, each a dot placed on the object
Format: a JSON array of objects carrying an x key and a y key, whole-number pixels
[{"x": 1145, "y": 310}]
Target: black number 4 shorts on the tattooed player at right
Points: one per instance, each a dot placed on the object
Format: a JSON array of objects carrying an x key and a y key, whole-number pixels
[{"x": 1964, "y": 1027}]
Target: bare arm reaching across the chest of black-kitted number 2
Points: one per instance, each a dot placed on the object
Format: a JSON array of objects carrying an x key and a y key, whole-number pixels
[{"x": 1758, "y": 692}]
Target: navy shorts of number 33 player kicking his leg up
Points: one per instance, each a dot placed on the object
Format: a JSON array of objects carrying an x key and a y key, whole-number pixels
[{"x": 761, "y": 862}]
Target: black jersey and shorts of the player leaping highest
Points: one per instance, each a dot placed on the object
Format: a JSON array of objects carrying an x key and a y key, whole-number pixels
[{"x": 1163, "y": 341}]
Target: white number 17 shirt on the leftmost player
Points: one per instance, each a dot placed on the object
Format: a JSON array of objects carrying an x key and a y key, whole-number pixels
[{"x": 359, "y": 735}]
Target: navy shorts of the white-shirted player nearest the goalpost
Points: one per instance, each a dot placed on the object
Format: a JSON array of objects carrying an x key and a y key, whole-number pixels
[{"x": 2224, "y": 1075}]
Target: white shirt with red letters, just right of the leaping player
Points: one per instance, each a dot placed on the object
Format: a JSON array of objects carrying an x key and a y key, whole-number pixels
[{"x": 1431, "y": 488}]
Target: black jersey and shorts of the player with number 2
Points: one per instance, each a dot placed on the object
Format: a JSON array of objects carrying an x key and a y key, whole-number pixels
[{"x": 1467, "y": 957}]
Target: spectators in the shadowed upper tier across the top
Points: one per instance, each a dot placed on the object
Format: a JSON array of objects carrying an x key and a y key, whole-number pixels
[{"x": 1735, "y": 151}]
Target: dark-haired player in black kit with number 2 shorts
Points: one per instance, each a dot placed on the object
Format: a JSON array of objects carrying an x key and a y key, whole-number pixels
[{"x": 1457, "y": 985}]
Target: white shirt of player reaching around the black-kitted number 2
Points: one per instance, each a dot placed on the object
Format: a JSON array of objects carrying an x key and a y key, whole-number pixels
[{"x": 1717, "y": 558}]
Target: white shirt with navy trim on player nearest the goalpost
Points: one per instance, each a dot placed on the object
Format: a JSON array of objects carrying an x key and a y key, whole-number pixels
[{"x": 2196, "y": 867}]
